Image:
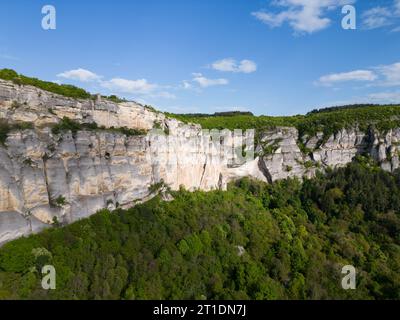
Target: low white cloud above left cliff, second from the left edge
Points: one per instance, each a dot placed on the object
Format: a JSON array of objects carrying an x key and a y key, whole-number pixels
[{"x": 140, "y": 86}]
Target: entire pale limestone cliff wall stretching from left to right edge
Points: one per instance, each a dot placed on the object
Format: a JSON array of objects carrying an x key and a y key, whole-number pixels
[{"x": 48, "y": 178}]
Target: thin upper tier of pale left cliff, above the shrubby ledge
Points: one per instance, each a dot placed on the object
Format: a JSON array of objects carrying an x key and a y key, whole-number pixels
[{"x": 30, "y": 104}]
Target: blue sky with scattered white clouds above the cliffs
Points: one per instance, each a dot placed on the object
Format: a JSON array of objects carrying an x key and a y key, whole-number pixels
[{"x": 277, "y": 57}]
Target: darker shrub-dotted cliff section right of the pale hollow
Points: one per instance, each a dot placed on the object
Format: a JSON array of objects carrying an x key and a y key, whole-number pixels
[{"x": 287, "y": 160}]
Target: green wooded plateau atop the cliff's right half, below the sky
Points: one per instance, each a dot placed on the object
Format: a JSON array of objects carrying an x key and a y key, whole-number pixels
[{"x": 328, "y": 121}]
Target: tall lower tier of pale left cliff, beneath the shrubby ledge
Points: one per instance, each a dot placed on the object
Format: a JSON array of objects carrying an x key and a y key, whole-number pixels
[{"x": 47, "y": 178}]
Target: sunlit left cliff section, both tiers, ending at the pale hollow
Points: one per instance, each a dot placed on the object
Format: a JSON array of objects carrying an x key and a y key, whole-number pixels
[{"x": 47, "y": 177}]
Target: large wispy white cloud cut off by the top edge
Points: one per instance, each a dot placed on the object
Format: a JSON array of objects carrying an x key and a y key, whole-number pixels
[{"x": 304, "y": 16}]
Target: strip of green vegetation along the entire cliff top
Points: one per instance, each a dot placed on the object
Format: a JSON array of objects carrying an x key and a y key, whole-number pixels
[{"x": 327, "y": 120}]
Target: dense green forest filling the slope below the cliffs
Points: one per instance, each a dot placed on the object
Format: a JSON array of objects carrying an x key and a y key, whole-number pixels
[{"x": 286, "y": 240}]
